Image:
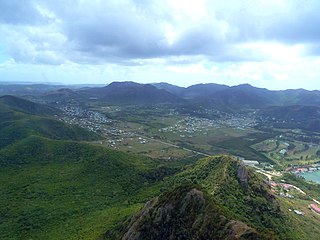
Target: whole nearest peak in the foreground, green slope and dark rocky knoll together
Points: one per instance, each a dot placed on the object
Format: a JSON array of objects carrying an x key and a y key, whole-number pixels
[{"x": 217, "y": 198}]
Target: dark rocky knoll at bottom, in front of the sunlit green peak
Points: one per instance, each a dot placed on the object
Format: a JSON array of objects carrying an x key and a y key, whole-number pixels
[{"x": 184, "y": 213}]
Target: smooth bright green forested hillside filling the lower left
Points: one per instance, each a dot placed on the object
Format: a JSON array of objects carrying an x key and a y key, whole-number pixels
[{"x": 67, "y": 190}]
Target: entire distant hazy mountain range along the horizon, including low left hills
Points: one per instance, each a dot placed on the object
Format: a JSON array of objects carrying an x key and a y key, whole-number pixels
[{"x": 211, "y": 95}]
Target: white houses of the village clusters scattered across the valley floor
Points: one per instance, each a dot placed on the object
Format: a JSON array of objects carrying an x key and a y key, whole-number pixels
[{"x": 98, "y": 123}]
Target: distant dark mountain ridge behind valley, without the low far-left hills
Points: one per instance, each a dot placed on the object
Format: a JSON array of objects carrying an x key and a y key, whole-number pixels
[{"x": 243, "y": 96}]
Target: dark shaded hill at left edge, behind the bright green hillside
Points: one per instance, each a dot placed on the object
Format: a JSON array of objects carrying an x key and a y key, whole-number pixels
[{"x": 20, "y": 118}]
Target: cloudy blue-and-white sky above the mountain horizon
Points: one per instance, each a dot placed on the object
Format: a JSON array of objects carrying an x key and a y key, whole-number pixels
[{"x": 267, "y": 43}]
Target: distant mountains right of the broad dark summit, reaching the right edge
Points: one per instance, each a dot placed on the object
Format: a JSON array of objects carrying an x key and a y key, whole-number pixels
[{"x": 243, "y": 96}]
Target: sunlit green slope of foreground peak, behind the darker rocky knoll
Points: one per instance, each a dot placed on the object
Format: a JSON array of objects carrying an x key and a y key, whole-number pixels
[{"x": 248, "y": 200}]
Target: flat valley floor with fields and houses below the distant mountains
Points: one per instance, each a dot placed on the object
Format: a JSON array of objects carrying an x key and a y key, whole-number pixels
[{"x": 163, "y": 133}]
